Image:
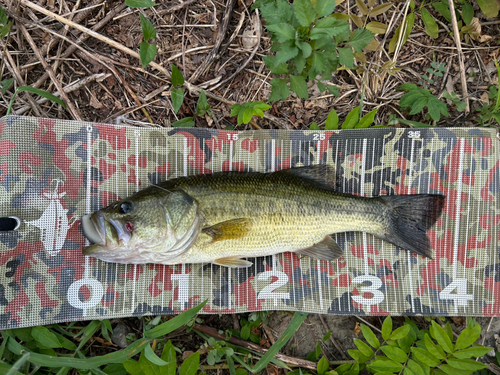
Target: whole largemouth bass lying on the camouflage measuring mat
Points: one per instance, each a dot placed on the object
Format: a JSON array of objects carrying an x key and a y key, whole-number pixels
[{"x": 224, "y": 217}]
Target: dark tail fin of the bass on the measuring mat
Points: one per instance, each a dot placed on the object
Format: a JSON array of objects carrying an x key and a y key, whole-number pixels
[{"x": 410, "y": 218}]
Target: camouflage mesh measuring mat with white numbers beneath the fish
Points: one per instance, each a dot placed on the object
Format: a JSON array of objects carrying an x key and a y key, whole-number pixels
[{"x": 53, "y": 171}]
